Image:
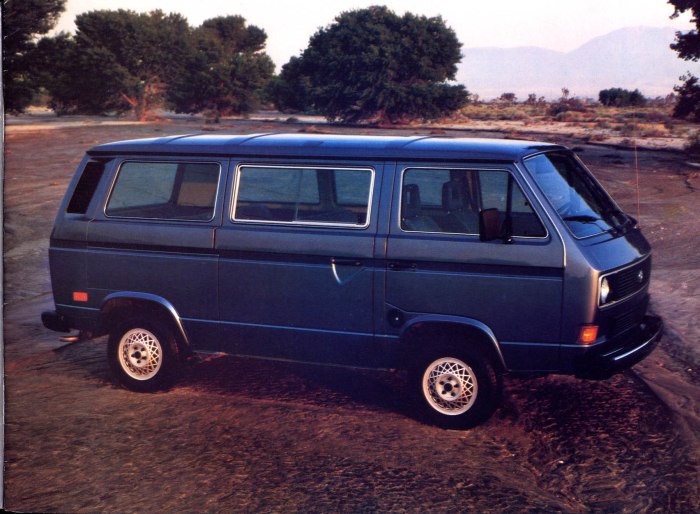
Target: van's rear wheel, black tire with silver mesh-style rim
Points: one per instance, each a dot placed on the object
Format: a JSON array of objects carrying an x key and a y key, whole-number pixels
[{"x": 143, "y": 354}]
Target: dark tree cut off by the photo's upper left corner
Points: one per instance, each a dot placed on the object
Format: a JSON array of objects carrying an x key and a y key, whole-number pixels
[{"x": 22, "y": 21}]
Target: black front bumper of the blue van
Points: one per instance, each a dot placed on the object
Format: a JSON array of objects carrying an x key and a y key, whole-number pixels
[{"x": 603, "y": 361}]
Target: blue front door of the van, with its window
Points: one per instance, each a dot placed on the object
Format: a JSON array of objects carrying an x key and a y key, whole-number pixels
[{"x": 437, "y": 264}]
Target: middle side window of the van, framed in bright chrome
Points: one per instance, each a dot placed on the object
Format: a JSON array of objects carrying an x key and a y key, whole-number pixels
[{"x": 303, "y": 195}]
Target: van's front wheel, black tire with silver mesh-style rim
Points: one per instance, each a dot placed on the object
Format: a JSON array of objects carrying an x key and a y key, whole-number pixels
[{"x": 455, "y": 388}]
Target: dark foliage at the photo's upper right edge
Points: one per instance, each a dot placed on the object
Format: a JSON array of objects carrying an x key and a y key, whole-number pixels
[{"x": 687, "y": 46}]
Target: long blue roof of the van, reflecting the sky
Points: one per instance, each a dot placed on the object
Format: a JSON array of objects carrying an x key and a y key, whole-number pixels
[{"x": 330, "y": 146}]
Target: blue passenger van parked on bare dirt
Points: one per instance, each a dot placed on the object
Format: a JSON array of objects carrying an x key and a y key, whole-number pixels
[{"x": 457, "y": 260}]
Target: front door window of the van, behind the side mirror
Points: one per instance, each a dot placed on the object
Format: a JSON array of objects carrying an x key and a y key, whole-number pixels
[{"x": 449, "y": 201}]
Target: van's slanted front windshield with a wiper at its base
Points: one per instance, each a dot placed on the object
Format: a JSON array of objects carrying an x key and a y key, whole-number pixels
[{"x": 578, "y": 199}]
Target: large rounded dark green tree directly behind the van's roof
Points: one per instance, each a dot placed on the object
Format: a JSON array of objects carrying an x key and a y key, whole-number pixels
[{"x": 372, "y": 64}]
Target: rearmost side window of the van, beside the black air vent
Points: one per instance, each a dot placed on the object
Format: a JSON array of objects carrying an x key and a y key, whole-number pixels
[{"x": 165, "y": 190}]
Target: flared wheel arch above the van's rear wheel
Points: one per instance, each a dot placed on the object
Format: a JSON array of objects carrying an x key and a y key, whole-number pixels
[{"x": 117, "y": 306}]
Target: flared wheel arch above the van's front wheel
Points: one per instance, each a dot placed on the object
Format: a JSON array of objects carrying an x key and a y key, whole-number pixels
[{"x": 418, "y": 332}]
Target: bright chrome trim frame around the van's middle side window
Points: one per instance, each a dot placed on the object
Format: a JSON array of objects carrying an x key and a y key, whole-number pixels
[{"x": 234, "y": 196}]
